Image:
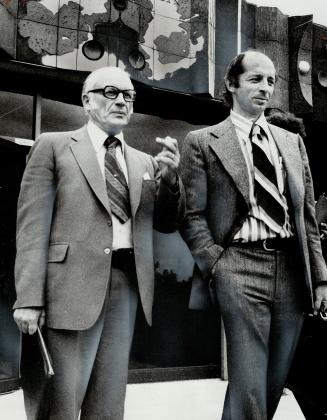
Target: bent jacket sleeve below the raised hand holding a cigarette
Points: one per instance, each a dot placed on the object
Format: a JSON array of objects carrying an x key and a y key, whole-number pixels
[{"x": 169, "y": 206}]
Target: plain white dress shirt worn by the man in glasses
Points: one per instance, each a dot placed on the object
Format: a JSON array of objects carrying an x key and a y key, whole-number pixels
[{"x": 122, "y": 232}]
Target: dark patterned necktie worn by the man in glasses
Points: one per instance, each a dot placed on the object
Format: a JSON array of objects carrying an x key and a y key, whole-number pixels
[{"x": 116, "y": 182}]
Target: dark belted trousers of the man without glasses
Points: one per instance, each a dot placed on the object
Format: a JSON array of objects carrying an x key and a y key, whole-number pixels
[{"x": 261, "y": 299}]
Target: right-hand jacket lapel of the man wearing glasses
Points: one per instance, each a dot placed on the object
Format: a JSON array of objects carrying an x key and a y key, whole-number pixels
[{"x": 136, "y": 170}]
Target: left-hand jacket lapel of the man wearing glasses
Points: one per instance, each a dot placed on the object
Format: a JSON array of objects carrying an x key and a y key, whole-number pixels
[{"x": 85, "y": 156}]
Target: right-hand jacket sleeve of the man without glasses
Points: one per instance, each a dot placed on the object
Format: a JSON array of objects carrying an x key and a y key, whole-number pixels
[{"x": 317, "y": 263}]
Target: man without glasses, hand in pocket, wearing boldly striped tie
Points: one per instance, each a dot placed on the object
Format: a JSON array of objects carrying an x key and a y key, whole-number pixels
[{"x": 250, "y": 225}]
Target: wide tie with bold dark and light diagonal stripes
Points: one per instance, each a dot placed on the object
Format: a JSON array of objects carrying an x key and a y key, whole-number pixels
[{"x": 266, "y": 190}]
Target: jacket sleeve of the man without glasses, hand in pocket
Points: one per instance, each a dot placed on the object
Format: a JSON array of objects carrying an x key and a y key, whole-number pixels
[{"x": 195, "y": 230}]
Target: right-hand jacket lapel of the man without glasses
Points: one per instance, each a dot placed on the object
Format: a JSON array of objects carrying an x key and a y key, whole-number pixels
[{"x": 292, "y": 162}]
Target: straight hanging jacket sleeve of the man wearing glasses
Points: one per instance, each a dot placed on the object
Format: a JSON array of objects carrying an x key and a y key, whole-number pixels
[{"x": 34, "y": 215}]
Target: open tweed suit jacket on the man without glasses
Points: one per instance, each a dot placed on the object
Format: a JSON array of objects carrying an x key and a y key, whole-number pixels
[{"x": 214, "y": 174}]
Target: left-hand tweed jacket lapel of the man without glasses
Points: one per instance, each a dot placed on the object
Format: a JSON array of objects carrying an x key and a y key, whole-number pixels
[{"x": 229, "y": 152}]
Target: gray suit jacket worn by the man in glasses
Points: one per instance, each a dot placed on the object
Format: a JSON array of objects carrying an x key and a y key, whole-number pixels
[{"x": 64, "y": 226}]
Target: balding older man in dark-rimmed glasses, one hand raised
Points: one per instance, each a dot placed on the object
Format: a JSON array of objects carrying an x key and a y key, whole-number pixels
[{"x": 87, "y": 208}]
